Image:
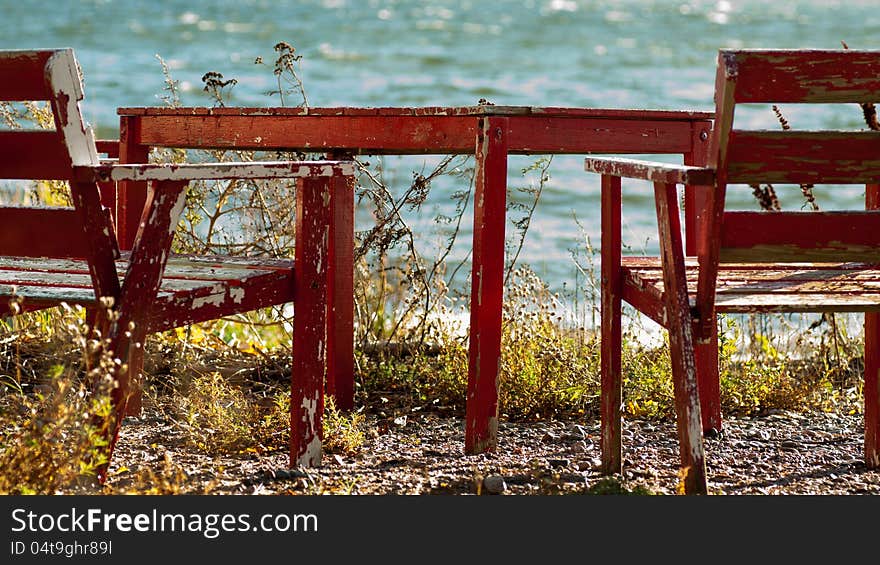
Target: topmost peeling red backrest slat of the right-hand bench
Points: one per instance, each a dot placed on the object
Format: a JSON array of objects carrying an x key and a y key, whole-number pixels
[{"x": 803, "y": 75}]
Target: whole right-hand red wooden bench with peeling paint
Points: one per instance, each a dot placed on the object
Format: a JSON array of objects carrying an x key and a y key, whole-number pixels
[{"x": 748, "y": 261}]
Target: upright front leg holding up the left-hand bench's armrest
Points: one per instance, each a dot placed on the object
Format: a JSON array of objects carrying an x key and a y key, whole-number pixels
[{"x": 310, "y": 321}]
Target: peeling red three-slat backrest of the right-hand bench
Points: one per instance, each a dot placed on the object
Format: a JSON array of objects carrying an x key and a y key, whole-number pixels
[{"x": 791, "y": 156}]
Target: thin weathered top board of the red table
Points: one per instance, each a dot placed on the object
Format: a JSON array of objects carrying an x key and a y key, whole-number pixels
[{"x": 427, "y": 111}]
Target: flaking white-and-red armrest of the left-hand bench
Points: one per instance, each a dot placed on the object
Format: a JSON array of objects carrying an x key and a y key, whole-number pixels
[{"x": 212, "y": 171}]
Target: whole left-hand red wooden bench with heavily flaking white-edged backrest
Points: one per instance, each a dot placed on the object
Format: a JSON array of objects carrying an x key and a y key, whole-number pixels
[{"x": 50, "y": 256}]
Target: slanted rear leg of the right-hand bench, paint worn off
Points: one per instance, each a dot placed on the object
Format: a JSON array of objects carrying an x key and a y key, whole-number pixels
[{"x": 681, "y": 342}]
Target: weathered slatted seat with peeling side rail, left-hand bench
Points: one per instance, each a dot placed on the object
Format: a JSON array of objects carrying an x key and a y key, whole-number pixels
[{"x": 193, "y": 289}]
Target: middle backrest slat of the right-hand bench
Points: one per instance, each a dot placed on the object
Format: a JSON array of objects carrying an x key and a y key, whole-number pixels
[{"x": 801, "y": 157}]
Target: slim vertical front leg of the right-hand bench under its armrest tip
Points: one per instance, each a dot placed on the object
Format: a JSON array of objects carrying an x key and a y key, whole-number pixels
[{"x": 612, "y": 381}]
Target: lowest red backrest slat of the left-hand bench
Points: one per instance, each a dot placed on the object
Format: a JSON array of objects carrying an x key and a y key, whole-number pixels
[{"x": 41, "y": 232}]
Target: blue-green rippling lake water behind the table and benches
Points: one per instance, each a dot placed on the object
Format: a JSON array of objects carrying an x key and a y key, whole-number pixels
[{"x": 587, "y": 53}]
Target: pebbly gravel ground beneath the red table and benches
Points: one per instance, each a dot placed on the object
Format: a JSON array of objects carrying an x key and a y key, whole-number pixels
[{"x": 422, "y": 453}]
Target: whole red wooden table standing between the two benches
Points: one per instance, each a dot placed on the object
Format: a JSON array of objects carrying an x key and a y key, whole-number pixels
[{"x": 489, "y": 132}]
